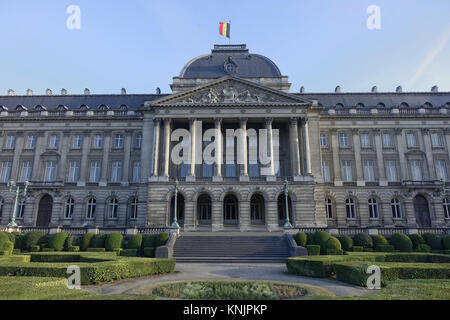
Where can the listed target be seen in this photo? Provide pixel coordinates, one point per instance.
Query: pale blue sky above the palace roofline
(141, 45)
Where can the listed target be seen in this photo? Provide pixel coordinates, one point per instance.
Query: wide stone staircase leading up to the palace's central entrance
(230, 247)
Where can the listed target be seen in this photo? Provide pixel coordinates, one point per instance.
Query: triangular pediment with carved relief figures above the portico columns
(231, 90)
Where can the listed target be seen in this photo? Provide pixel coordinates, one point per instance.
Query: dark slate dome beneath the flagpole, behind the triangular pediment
(230, 60)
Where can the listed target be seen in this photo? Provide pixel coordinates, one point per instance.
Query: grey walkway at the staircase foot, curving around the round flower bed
(228, 271)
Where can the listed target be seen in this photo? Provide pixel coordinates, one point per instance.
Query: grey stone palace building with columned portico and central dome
(373, 160)
